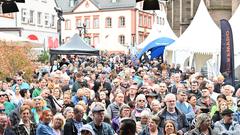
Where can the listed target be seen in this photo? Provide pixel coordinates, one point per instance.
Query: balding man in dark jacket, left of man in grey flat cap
(73, 125)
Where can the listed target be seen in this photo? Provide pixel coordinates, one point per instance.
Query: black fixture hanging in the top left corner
(9, 7)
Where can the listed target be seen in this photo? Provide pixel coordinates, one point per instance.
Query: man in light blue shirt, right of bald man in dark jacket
(184, 106)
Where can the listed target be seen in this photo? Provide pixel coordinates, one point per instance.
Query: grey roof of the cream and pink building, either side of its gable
(100, 4)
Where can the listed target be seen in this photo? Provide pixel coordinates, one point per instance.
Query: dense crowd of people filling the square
(114, 95)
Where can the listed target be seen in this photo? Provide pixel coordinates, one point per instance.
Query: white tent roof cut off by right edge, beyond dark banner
(235, 21)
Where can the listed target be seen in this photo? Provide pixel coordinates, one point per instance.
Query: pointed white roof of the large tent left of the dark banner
(202, 36)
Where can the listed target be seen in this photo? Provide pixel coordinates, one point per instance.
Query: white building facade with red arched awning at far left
(36, 20)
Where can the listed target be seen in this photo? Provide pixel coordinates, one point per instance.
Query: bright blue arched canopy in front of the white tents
(156, 47)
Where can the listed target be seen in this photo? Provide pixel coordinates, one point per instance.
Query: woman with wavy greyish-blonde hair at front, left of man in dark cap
(202, 126)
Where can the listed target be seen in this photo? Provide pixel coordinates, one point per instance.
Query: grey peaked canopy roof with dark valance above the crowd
(76, 45)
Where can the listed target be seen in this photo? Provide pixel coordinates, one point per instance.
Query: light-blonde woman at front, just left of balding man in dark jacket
(58, 123)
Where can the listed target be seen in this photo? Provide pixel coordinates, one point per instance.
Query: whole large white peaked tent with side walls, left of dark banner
(200, 42)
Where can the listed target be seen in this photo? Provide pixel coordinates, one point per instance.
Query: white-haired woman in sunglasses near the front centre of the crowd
(141, 104)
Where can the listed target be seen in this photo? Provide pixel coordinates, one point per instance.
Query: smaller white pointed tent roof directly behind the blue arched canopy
(159, 30)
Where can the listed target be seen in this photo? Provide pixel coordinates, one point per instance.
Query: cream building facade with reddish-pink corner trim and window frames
(123, 21)
